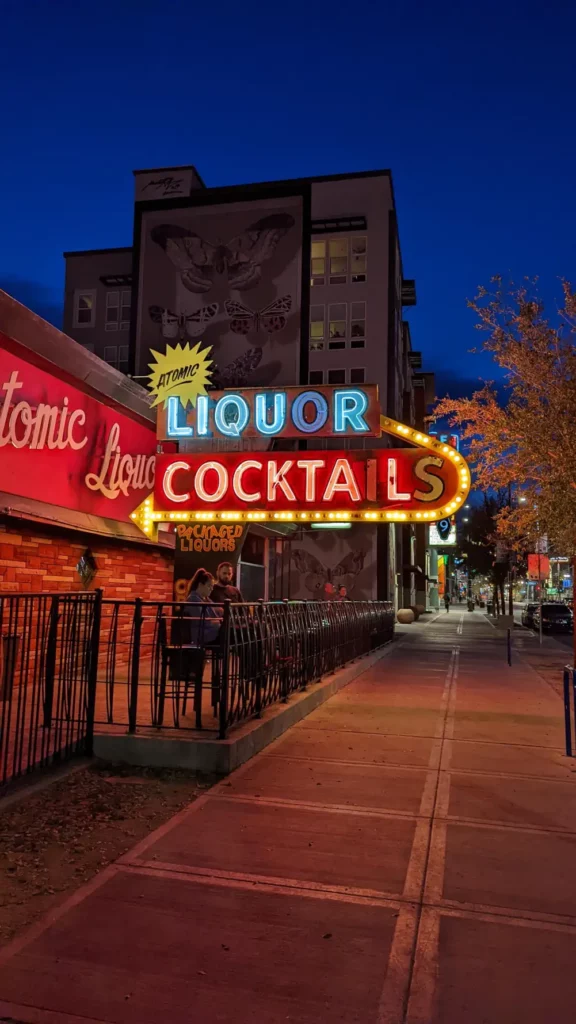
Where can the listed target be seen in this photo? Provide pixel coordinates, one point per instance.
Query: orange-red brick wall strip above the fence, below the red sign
(37, 560)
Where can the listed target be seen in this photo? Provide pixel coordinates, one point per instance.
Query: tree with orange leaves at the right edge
(526, 443)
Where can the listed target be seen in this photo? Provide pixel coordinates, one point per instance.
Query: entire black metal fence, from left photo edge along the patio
(69, 662)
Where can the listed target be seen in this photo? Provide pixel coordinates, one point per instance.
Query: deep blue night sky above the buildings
(472, 107)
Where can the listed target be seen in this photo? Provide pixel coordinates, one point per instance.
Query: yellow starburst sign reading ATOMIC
(183, 372)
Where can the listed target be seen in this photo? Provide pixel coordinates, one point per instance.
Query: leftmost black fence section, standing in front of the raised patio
(49, 660)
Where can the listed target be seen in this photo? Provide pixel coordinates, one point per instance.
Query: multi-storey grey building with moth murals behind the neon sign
(291, 283)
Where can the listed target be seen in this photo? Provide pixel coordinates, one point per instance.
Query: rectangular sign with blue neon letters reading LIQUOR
(270, 413)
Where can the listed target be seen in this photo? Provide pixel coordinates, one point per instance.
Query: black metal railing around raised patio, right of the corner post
(211, 667)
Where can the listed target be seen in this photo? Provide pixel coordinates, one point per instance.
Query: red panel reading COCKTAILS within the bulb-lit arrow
(390, 483)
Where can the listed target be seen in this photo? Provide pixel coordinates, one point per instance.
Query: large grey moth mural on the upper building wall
(231, 275)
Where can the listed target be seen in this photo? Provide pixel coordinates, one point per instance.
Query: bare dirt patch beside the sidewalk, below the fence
(54, 841)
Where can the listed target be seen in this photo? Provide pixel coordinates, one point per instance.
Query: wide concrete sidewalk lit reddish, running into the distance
(405, 855)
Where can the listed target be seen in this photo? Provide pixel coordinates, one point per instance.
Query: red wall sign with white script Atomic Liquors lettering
(60, 446)
